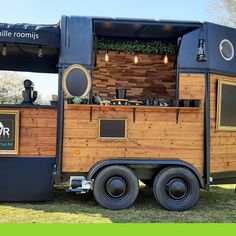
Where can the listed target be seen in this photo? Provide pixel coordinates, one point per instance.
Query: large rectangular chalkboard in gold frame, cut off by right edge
(226, 105)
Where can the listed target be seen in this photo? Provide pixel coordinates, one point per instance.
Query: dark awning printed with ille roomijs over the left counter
(22, 43)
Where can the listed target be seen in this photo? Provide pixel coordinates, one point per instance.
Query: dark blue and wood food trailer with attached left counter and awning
(138, 100)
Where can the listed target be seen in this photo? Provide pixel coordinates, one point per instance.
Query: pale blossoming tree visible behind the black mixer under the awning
(11, 87)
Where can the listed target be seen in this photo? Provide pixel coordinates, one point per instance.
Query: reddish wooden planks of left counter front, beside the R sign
(38, 128)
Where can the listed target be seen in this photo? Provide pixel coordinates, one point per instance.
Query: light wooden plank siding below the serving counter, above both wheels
(154, 134)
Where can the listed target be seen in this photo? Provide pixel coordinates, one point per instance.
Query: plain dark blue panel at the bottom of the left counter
(26, 179)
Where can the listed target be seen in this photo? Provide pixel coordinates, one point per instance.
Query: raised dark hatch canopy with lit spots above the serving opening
(143, 29)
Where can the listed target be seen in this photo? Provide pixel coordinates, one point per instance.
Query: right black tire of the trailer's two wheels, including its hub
(176, 188)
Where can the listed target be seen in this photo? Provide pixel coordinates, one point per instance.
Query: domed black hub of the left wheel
(116, 187)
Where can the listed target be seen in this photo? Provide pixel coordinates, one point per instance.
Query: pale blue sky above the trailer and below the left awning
(50, 12)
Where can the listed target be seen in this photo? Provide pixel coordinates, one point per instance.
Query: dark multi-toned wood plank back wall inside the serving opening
(149, 78)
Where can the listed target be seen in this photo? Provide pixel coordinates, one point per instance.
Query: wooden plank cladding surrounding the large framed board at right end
(223, 143)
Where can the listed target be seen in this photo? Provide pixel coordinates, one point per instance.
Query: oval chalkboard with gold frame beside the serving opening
(76, 81)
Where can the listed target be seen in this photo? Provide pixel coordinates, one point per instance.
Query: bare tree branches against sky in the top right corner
(223, 12)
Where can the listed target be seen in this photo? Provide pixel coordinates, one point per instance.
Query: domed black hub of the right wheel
(177, 189)
